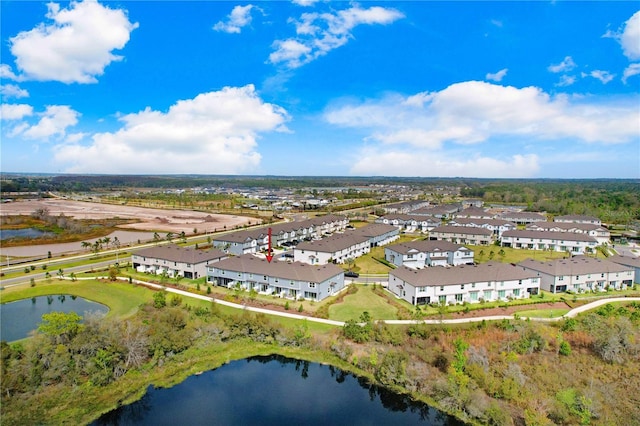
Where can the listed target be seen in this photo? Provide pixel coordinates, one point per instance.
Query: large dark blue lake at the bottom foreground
(274, 390)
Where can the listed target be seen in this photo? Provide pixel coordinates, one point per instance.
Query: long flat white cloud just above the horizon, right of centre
(375, 162)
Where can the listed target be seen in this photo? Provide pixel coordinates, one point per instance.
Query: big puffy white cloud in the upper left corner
(76, 47)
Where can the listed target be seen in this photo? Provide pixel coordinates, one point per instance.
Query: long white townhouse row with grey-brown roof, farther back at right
(569, 242)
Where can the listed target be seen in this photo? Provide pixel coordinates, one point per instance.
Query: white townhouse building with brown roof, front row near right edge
(579, 274)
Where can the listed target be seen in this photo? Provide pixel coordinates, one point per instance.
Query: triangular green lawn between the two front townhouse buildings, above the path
(365, 299)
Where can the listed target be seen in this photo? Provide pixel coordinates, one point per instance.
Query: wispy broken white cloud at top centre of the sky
(319, 33)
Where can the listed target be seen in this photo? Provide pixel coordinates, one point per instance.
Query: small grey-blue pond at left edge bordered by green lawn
(18, 319)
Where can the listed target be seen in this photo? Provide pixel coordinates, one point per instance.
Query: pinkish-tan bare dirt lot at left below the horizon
(149, 219)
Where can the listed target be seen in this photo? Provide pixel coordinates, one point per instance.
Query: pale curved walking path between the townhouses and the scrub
(571, 314)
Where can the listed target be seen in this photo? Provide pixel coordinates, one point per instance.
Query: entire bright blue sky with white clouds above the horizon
(435, 89)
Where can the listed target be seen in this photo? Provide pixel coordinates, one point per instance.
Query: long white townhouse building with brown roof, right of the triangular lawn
(458, 284)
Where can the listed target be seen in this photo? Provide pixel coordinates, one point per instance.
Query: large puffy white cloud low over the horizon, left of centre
(214, 132)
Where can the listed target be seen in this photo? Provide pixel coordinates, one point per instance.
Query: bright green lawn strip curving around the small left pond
(122, 299)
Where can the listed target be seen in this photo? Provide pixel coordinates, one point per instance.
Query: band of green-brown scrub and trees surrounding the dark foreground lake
(580, 371)
